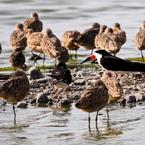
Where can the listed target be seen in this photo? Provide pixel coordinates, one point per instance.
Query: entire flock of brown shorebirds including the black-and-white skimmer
(106, 40)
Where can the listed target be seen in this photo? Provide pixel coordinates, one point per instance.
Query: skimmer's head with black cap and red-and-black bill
(96, 56)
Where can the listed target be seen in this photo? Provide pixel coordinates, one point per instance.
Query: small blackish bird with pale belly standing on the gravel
(63, 78)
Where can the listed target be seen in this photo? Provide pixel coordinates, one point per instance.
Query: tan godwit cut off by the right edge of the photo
(140, 39)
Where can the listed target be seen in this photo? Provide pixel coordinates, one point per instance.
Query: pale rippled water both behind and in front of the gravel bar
(41, 126)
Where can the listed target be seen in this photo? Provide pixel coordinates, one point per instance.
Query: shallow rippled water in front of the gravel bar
(46, 126)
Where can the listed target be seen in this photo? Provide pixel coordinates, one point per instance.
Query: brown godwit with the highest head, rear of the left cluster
(33, 23)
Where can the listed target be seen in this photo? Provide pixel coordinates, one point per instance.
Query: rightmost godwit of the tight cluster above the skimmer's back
(119, 33)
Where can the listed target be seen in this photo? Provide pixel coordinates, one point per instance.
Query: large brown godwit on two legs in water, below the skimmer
(93, 99)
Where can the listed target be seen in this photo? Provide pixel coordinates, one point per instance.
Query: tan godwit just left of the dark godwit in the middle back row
(68, 41)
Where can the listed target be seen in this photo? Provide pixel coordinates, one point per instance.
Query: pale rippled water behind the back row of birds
(62, 15)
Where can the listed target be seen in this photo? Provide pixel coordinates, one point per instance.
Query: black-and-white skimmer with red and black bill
(113, 63)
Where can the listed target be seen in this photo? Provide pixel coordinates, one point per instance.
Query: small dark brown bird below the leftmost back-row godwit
(17, 59)
